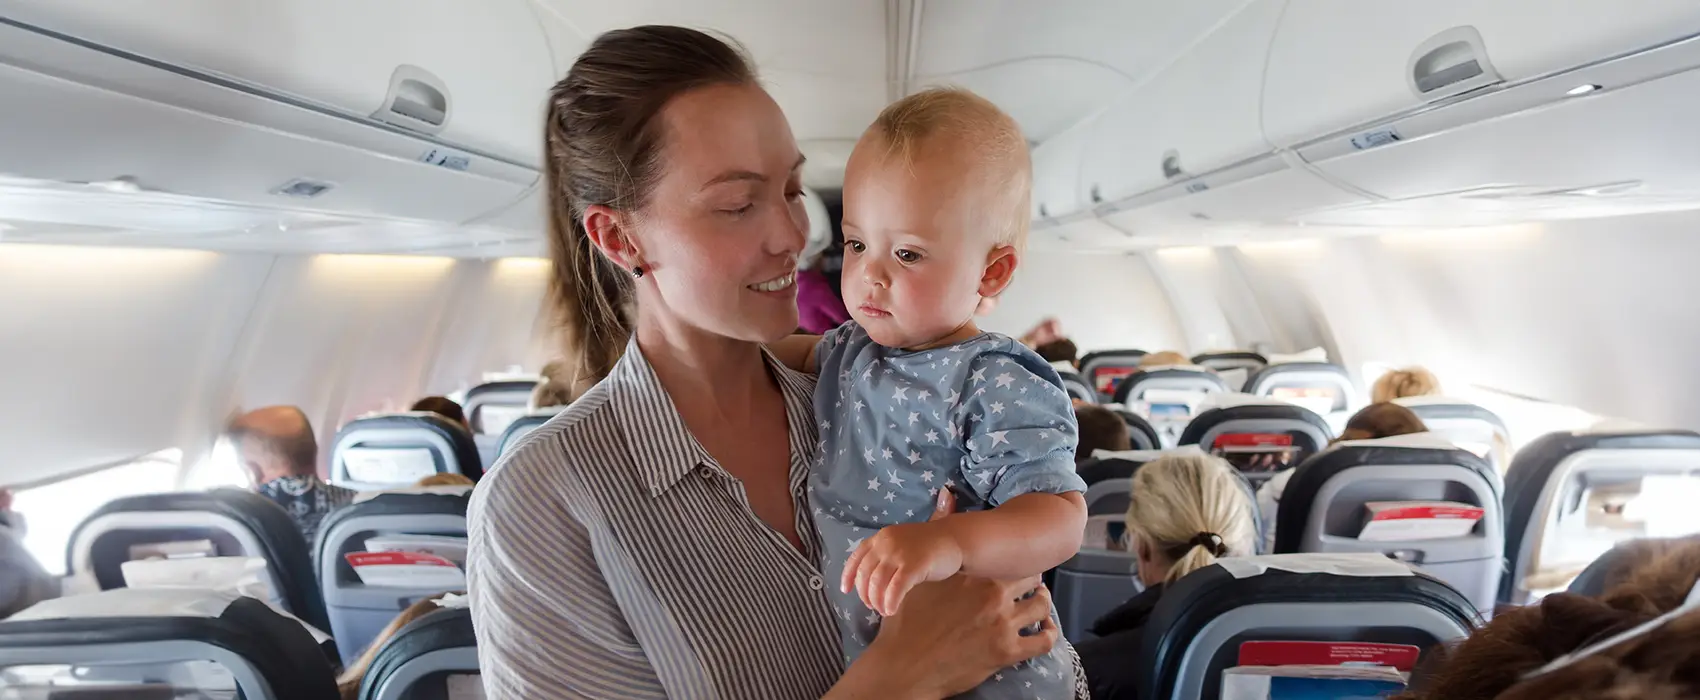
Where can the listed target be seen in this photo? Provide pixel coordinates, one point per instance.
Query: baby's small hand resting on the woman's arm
(885, 567)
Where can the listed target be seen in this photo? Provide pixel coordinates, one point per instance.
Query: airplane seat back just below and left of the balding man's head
(220, 522)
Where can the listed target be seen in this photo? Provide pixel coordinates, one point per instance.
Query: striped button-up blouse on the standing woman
(613, 558)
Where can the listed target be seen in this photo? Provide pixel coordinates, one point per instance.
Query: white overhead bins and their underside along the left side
(380, 110)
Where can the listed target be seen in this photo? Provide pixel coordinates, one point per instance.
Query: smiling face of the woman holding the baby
(723, 229)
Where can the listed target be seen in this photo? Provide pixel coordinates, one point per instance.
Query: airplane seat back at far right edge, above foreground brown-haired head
(1570, 497)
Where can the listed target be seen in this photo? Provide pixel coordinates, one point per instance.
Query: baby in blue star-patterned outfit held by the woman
(915, 398)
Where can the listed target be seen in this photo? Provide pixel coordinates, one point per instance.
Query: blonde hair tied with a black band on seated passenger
(1191, 509)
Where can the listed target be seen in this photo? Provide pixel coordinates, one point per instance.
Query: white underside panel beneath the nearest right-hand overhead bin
(1606, 140)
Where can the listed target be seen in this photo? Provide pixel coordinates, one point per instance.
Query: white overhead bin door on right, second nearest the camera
(1196, 116)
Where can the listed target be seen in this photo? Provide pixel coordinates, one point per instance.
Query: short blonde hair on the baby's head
(963, 121)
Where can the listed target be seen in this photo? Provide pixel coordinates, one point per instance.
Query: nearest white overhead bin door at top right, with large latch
(1342, 64)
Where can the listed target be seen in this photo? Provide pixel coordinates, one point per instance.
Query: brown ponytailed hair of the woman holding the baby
(603, 144)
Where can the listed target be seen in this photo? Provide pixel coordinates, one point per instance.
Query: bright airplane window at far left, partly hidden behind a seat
(54, 512)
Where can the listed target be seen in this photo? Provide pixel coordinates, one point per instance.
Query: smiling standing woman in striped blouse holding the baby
(652, 541)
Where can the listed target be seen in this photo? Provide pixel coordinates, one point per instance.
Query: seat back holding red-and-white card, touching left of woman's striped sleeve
(360, 611)
